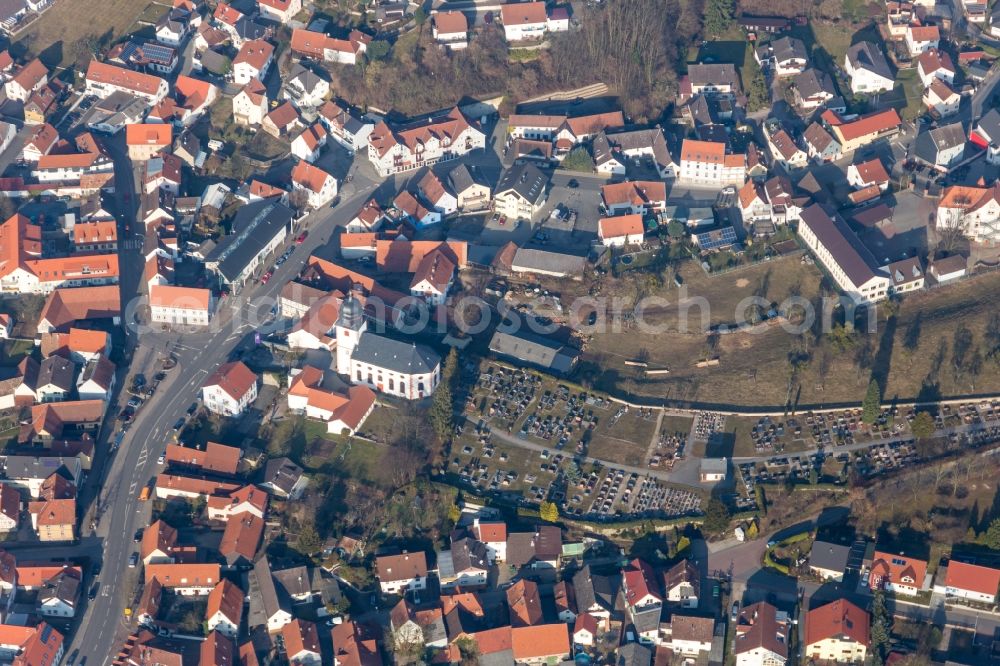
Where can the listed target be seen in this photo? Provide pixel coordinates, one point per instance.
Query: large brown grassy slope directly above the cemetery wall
(911, 356)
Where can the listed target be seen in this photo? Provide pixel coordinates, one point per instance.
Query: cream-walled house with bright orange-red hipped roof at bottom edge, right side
(837, 632)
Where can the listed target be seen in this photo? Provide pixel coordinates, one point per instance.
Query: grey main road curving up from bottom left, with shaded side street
(102, 627)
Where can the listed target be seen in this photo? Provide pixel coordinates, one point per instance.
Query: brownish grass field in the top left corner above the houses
(63, 35)
